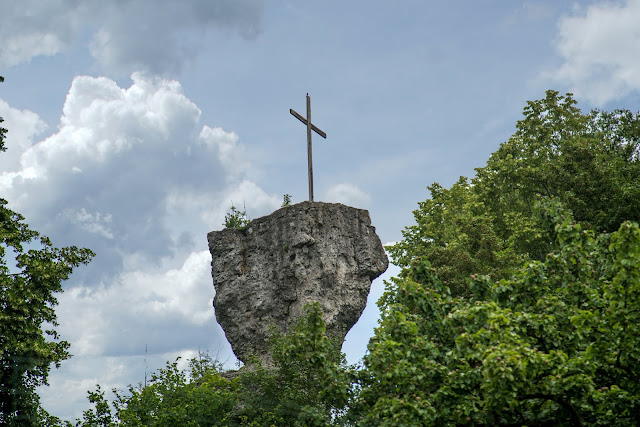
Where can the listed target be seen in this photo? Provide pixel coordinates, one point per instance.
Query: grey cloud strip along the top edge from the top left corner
(125, 35)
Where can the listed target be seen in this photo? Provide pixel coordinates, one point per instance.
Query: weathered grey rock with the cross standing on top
(310, 251)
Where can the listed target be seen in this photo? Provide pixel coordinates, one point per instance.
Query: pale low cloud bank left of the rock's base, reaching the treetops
(119, 332)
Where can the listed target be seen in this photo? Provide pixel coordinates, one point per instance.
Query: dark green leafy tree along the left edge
(29, 280)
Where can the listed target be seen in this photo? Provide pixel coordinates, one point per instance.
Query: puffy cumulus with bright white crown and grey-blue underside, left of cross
(130, 172)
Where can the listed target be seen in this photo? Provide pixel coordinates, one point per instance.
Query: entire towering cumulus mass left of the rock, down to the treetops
(132, 174)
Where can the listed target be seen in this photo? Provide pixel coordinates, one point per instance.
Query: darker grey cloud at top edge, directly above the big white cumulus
(170, 34)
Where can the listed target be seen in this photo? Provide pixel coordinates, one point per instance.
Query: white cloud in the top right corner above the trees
(600, 47)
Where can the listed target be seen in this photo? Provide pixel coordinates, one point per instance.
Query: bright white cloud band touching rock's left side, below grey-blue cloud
(164, 308)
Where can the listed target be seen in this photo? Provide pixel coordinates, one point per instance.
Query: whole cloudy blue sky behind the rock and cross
(134, 124)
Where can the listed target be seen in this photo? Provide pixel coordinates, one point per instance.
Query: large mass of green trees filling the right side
(509, 314)
